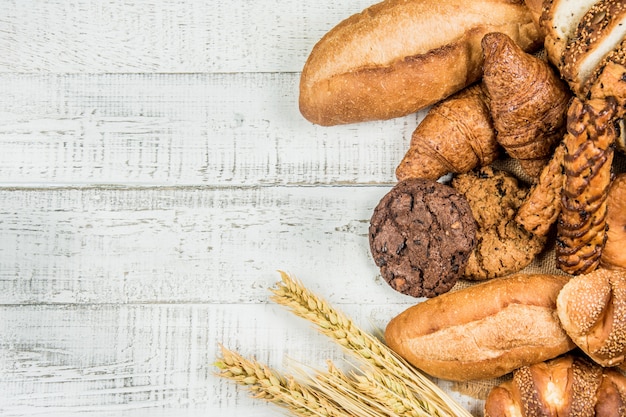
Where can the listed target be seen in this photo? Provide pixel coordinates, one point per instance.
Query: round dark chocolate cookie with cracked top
(421, 235)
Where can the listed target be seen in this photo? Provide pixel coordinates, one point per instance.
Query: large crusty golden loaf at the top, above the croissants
(399, 56)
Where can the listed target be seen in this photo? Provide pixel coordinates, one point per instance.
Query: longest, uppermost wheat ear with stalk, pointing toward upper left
(391, 371)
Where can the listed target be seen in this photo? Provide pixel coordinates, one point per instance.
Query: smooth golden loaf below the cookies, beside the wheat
(483, 331)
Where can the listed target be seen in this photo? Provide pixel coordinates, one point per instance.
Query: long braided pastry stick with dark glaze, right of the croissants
(581, 225)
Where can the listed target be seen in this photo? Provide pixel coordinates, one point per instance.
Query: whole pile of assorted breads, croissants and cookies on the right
(559, 119)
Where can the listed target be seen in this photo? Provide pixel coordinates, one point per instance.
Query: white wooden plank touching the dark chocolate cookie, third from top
(223, 245)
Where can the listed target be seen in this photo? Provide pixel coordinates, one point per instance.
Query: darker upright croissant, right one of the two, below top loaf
(528, 102)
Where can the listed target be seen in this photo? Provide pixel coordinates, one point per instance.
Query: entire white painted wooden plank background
(155, 173)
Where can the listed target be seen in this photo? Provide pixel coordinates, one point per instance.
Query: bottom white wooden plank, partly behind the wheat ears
(102, 360)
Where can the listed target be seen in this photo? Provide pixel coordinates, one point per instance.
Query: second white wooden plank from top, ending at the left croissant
(182, 129)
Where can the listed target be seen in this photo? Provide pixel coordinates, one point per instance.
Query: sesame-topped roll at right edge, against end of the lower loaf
(592, 310)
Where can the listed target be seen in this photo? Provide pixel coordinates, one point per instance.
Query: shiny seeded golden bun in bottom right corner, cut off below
(568, 386)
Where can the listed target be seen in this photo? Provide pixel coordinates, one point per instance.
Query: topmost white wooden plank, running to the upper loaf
(164, 36)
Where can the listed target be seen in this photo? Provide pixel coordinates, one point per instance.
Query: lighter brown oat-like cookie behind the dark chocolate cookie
(502, 245)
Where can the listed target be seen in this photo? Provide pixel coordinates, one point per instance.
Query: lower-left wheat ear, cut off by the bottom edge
(268, 384)
